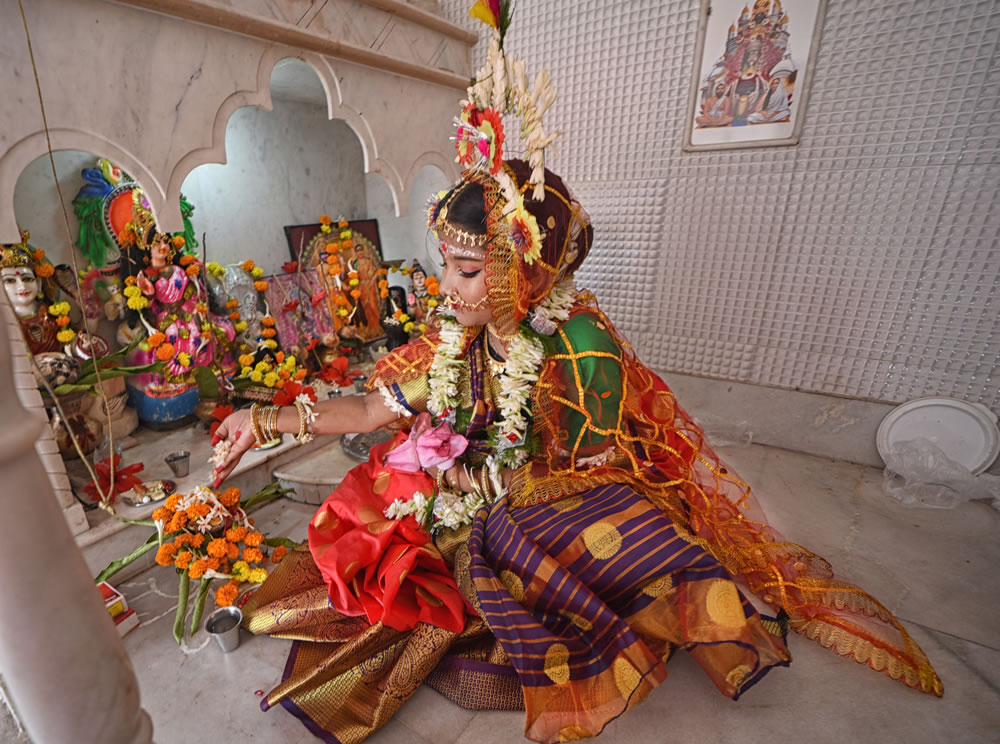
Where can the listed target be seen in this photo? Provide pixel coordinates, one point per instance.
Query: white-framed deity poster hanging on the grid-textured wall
(754, 64)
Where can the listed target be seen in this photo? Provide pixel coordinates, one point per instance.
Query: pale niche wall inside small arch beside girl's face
(404, 237)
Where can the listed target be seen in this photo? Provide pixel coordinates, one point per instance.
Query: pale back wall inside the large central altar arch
(283, 167)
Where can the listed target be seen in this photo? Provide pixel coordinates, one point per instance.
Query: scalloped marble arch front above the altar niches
(154, 92)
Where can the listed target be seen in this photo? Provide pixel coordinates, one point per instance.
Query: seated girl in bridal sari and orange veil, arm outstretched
(552, 529)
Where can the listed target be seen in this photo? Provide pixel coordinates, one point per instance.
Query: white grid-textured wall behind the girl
(862, 262)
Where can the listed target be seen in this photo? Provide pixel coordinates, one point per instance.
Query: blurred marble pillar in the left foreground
(63, 663)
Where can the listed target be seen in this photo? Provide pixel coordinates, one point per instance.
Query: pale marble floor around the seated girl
(937, 570)
